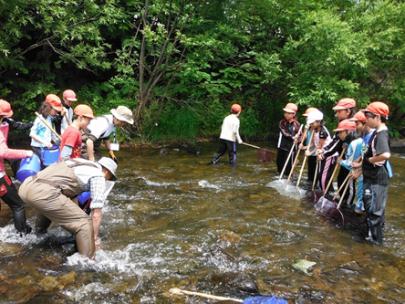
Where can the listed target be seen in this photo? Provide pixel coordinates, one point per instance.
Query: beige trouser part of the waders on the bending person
(60, 209)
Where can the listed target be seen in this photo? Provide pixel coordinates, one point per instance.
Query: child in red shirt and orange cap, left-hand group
(71, 142)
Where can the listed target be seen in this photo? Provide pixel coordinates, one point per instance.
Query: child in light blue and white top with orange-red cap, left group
(41, 136)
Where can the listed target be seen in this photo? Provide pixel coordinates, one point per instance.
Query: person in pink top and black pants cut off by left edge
(8, 192)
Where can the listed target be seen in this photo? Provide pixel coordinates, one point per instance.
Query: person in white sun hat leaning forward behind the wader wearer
(101, 129)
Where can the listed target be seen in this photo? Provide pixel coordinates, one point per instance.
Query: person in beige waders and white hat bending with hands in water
(51, 191)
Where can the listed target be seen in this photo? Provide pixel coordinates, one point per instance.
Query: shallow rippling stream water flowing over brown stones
(174, 221)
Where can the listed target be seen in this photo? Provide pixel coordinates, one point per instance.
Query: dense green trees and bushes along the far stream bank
(180, 64)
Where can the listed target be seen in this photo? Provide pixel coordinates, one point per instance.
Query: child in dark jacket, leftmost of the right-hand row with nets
(289, 128)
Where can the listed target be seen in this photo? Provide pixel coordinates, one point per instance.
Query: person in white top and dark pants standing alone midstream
(229, 136)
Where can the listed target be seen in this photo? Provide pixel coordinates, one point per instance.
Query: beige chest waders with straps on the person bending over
(50, 192)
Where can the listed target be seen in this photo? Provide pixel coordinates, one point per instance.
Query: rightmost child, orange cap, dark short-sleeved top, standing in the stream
(376, 170)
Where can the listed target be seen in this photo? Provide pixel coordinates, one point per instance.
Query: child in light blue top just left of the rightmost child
(345, 130)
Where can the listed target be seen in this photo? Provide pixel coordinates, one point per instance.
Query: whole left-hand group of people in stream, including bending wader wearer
(76, 133)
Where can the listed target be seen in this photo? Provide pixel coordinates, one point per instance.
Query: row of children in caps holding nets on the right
(359, 145)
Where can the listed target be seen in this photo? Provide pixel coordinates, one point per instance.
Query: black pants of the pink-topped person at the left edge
(9, 194)
